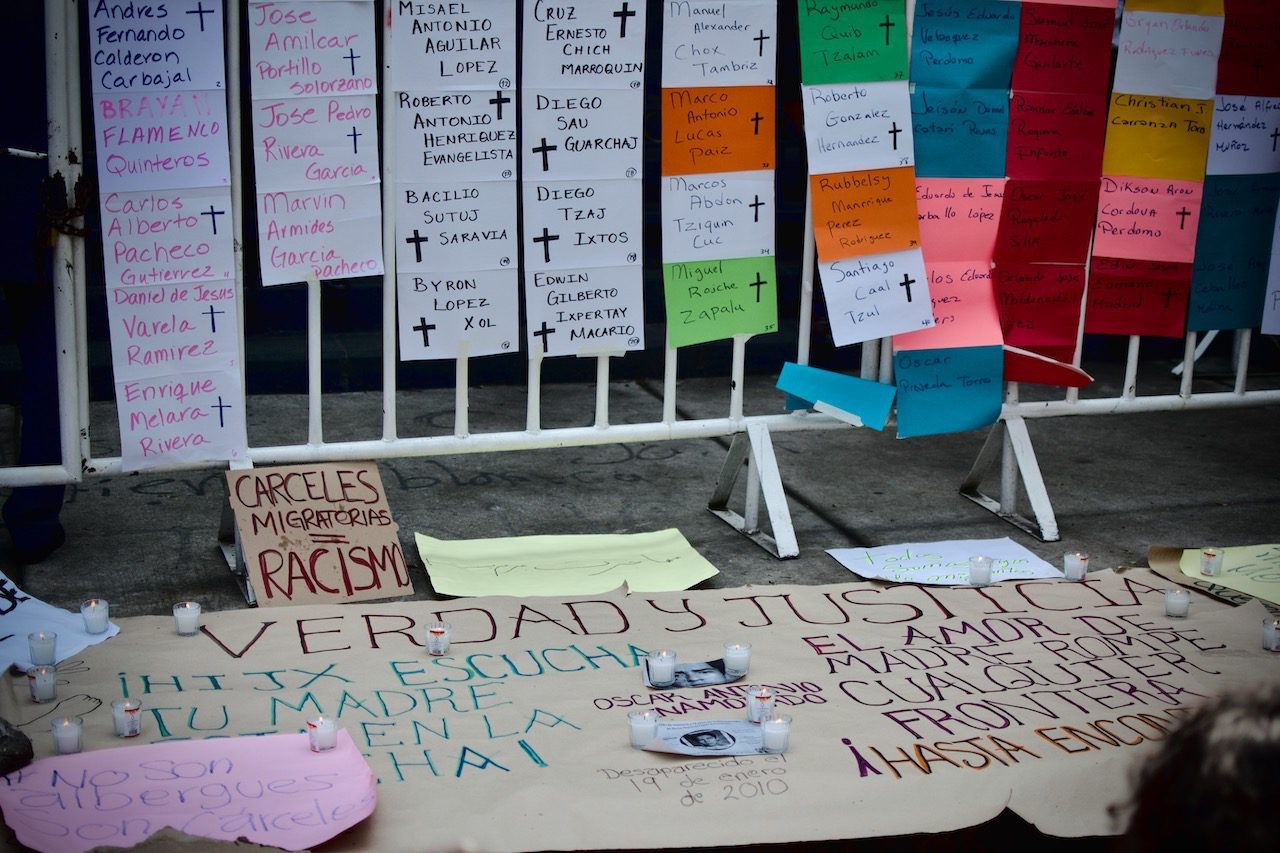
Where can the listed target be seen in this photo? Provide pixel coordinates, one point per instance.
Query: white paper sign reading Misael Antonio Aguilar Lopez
(454, 47)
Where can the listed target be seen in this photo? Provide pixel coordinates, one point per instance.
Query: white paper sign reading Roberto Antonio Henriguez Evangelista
(456, 136)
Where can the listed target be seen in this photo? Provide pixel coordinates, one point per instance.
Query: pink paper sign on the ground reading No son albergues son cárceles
(271, 790)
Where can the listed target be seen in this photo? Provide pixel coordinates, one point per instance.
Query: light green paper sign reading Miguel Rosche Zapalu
(716, 300)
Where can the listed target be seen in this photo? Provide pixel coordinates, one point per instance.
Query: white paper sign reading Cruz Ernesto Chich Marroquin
(584, 45)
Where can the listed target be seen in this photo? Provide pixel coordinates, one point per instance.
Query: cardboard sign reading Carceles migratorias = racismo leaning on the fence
(318, 533)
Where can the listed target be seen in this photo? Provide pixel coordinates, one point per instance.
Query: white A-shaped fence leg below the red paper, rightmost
(1008, 436)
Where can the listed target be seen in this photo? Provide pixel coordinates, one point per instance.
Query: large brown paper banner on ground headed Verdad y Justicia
(1039, 696)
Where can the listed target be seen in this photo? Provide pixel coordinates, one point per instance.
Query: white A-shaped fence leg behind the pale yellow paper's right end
(756, 449)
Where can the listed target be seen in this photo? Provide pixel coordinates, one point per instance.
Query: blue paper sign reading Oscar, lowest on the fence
(948, 391)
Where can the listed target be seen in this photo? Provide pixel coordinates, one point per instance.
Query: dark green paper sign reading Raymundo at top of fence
(852, 43)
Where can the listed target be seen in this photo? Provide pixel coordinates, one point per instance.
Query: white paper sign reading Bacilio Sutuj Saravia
(456, 227)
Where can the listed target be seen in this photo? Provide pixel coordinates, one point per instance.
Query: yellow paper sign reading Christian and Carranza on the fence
(1150, 136)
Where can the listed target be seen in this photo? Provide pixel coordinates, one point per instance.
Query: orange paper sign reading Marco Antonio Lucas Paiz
(717, 130)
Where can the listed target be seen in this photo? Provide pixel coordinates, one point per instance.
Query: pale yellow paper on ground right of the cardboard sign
(564, 565)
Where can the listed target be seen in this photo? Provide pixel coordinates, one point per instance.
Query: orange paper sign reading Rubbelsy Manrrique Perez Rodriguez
(865, 213)
